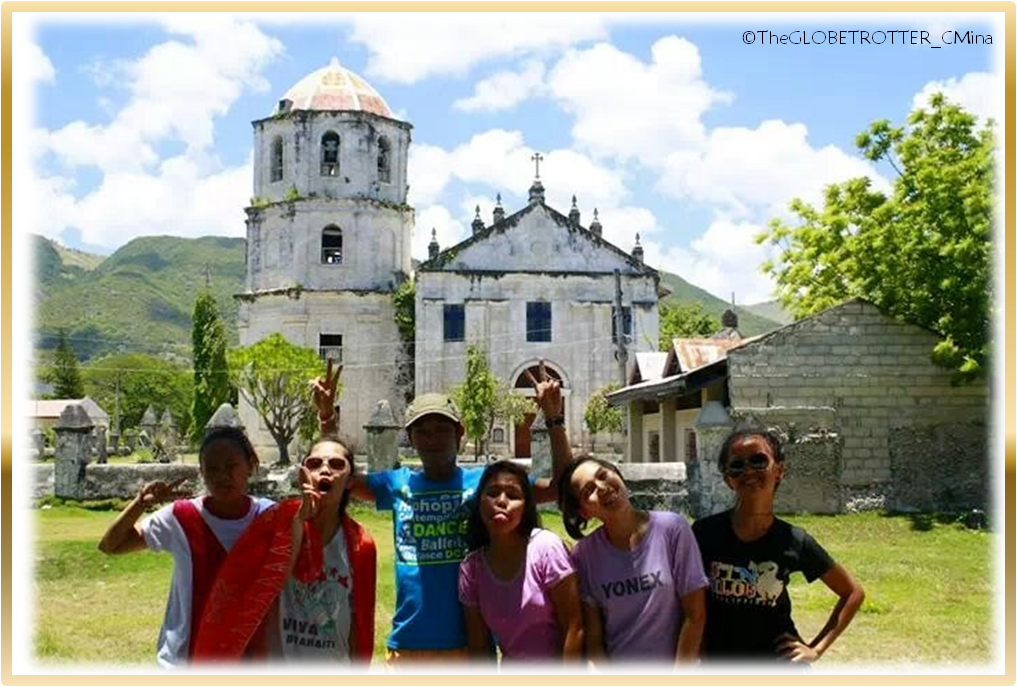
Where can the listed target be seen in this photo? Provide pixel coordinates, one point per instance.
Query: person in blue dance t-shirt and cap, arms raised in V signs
(430, 522)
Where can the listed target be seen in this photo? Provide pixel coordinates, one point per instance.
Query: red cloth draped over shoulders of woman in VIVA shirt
(254, 577)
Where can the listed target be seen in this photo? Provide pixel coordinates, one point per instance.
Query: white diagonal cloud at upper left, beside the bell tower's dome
(177, 91)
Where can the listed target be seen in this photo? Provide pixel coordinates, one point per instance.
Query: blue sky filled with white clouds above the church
(670, 124)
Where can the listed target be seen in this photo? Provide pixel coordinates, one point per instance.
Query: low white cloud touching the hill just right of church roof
(724, 260)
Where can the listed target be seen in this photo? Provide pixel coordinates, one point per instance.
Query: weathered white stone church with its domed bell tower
(329, 243)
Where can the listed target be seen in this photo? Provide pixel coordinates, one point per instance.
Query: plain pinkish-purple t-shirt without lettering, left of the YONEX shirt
(520, 612)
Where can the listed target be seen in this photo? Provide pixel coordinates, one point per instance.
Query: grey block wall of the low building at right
(873, 379)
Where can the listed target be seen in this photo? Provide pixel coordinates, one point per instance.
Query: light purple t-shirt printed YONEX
(638, 592)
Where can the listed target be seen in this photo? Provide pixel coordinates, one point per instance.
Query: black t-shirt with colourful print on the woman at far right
(748, 605)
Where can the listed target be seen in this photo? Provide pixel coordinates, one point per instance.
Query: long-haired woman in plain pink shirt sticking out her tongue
(518, 583)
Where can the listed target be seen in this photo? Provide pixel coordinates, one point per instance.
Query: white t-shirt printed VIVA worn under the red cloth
(309, 630)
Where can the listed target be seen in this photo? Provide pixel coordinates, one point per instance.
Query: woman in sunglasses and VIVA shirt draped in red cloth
(297, 592)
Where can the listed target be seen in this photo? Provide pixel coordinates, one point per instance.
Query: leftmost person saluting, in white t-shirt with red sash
(198, 532)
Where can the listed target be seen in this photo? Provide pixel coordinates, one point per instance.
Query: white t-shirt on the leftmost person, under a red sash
(162, 532)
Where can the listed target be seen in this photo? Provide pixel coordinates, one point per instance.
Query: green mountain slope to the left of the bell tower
(139, 300)
